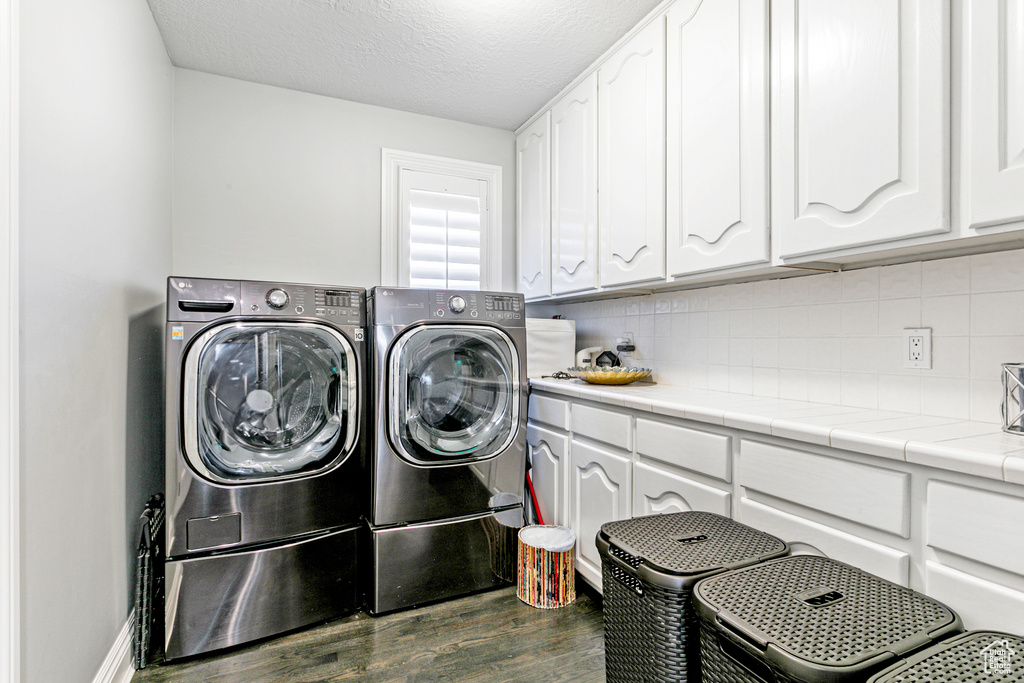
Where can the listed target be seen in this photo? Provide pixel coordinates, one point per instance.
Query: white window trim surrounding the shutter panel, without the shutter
(393, 162)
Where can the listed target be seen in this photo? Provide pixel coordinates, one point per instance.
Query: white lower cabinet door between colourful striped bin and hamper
(600, 492)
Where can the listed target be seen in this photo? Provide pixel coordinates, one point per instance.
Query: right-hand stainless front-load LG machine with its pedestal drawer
(451, 401)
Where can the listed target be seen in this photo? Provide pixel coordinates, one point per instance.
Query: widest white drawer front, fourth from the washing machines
(870, 496)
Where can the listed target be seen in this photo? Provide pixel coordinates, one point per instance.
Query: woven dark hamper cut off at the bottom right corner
(975, 657)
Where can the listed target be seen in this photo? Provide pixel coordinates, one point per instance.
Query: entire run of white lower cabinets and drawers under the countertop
(956, 537)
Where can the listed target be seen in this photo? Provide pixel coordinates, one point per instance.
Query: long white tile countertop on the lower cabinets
(982, 449)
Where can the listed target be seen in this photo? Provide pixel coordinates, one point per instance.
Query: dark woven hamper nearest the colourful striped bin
(649, 569)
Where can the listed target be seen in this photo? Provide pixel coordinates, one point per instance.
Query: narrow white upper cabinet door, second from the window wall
(574, 190)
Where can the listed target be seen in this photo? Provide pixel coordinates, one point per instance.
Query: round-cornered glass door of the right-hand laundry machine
(454, 395)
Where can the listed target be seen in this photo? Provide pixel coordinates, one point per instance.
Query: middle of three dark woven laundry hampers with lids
(812, 620)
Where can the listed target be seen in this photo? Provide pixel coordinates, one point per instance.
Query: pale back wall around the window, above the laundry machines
(277, 185)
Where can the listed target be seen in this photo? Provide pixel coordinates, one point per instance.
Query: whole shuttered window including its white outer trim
(441, 222)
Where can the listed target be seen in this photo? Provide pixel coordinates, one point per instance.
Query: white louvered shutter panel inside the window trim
(445, 242)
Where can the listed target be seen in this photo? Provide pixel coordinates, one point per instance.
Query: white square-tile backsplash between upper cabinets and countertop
(833, 337)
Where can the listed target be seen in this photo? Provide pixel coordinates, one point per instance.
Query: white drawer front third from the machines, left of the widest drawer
(693, 450)
